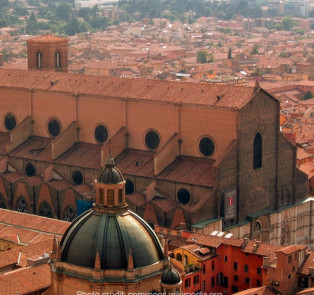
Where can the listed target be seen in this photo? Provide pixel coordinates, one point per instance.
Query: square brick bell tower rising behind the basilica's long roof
(48, 53)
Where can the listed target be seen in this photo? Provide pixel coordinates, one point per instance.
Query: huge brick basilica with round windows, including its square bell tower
(195, 156)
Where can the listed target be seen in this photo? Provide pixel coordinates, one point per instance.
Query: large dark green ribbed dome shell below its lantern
(113, 235)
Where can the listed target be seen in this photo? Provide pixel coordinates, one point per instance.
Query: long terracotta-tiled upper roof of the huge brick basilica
(170, 92)
